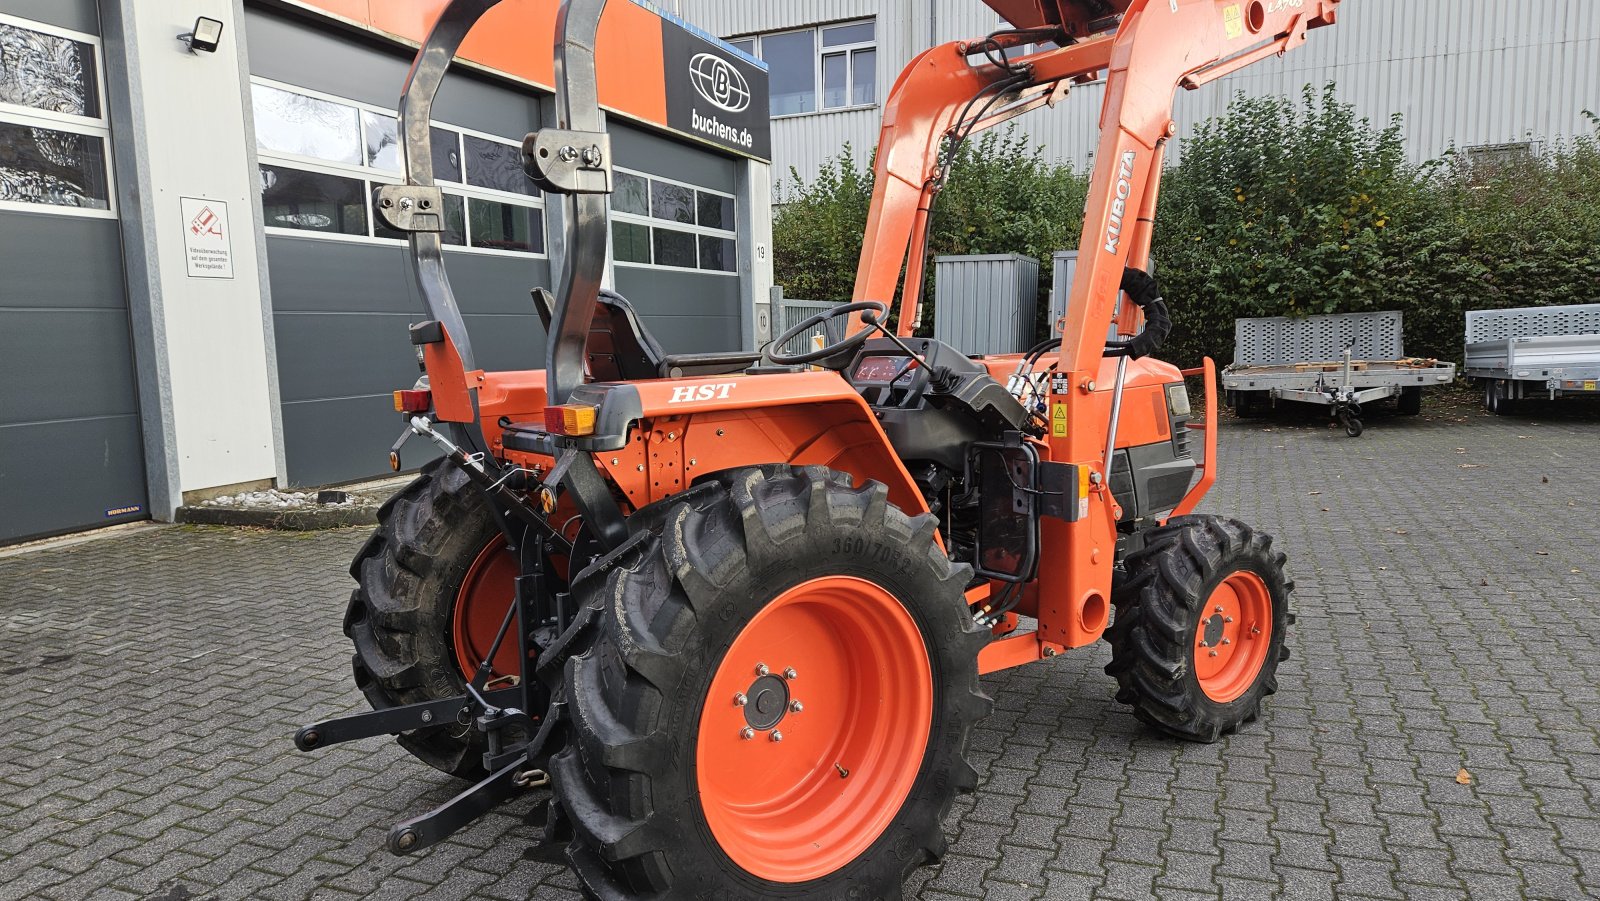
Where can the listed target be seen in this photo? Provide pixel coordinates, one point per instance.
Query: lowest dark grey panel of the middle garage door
(342, 441)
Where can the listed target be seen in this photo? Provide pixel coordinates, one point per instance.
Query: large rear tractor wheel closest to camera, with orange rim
(778, 700)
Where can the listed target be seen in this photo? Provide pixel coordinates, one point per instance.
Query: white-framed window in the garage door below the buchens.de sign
(666, 223)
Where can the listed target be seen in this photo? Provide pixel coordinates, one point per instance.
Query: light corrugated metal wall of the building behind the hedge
(1458, 71)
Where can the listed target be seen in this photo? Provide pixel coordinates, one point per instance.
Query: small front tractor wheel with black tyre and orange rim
(1201, 627)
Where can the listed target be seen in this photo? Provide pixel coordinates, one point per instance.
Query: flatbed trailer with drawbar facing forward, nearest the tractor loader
(1340, 361)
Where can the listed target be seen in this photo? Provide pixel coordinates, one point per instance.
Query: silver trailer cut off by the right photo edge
(1534, 353)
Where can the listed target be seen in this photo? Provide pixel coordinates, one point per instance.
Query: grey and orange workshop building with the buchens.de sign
(196, 297)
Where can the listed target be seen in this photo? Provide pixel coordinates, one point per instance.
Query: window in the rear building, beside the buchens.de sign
(818, 70)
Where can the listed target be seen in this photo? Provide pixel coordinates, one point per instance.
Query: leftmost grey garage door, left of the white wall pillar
(71, 450)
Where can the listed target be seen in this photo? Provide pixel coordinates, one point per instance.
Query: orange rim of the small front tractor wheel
(1233, 636)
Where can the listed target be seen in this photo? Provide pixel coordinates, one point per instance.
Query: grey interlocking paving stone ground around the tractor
(1449, 619)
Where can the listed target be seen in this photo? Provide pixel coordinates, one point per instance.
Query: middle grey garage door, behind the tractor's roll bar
(342, 286)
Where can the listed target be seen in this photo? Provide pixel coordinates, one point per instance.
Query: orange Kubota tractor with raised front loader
(734, 609)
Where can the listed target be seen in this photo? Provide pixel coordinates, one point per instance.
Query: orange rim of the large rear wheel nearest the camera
(815, 729)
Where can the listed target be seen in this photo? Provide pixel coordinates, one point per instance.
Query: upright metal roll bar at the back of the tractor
(572, 159)
